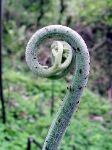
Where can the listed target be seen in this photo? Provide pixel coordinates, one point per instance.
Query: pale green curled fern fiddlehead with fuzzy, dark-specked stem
(80, 57)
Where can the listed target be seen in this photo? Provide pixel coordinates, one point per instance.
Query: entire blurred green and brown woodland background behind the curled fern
(30, 101)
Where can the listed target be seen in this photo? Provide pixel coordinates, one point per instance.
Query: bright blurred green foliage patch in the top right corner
(91, 11)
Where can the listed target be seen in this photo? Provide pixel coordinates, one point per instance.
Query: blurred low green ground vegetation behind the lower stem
(28, 111)
